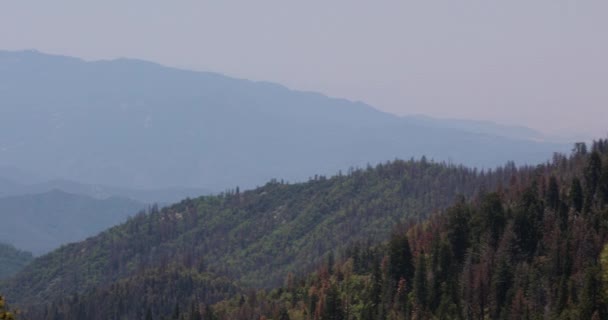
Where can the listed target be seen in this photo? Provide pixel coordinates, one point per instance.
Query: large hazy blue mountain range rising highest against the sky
(137, 124)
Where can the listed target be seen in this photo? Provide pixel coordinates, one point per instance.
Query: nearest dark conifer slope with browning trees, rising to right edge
(533, 249)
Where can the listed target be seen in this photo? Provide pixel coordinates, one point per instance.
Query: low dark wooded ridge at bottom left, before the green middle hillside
(162, 292)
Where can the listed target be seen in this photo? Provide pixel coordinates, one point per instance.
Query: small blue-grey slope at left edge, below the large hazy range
(42, 222)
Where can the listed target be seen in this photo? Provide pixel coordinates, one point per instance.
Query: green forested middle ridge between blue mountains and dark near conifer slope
(255, 237)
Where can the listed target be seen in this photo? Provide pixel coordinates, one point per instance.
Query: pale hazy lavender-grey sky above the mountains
(540, 63)
